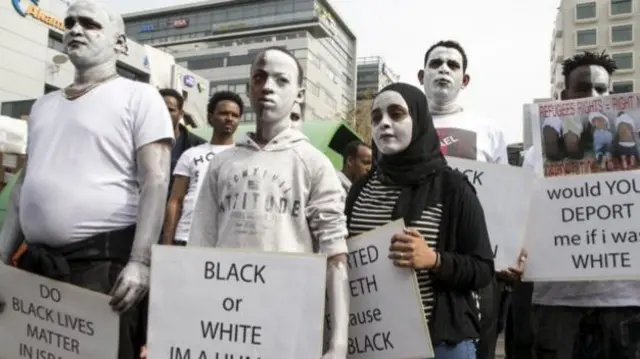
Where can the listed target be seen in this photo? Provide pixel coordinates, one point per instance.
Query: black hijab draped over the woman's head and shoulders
(418, 169)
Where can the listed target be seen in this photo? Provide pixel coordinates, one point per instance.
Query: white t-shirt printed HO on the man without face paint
(193, 164)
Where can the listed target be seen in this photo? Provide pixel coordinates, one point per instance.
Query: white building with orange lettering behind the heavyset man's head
(32, 62)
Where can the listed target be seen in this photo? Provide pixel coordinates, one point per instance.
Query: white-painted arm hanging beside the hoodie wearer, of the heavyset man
(154, 162)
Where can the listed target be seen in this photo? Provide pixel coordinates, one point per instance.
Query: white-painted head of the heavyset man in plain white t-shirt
(93, 35)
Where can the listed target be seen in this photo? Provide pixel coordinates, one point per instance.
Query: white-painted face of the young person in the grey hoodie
(274, 86)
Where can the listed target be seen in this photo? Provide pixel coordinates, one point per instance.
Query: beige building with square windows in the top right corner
(597, 25)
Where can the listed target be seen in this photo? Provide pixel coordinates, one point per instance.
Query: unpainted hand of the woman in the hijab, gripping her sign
(410, 250)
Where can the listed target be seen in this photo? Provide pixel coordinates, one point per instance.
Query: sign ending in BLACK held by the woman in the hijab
(386, 319)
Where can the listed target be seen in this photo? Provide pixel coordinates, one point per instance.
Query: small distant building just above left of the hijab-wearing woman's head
(373, 75)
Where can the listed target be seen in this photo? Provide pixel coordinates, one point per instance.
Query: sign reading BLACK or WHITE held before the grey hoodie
(225, 303)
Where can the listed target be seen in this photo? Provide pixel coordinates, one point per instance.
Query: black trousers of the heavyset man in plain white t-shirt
(93, 264)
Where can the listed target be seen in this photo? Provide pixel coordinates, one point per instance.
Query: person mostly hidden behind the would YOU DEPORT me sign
(599, 319)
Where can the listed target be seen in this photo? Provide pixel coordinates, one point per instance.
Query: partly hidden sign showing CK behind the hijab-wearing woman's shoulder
(505, 193)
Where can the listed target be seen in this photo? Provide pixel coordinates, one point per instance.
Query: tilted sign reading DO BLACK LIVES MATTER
(47, 319)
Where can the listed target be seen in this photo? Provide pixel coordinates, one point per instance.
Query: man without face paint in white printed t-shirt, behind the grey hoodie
(224, 111)
